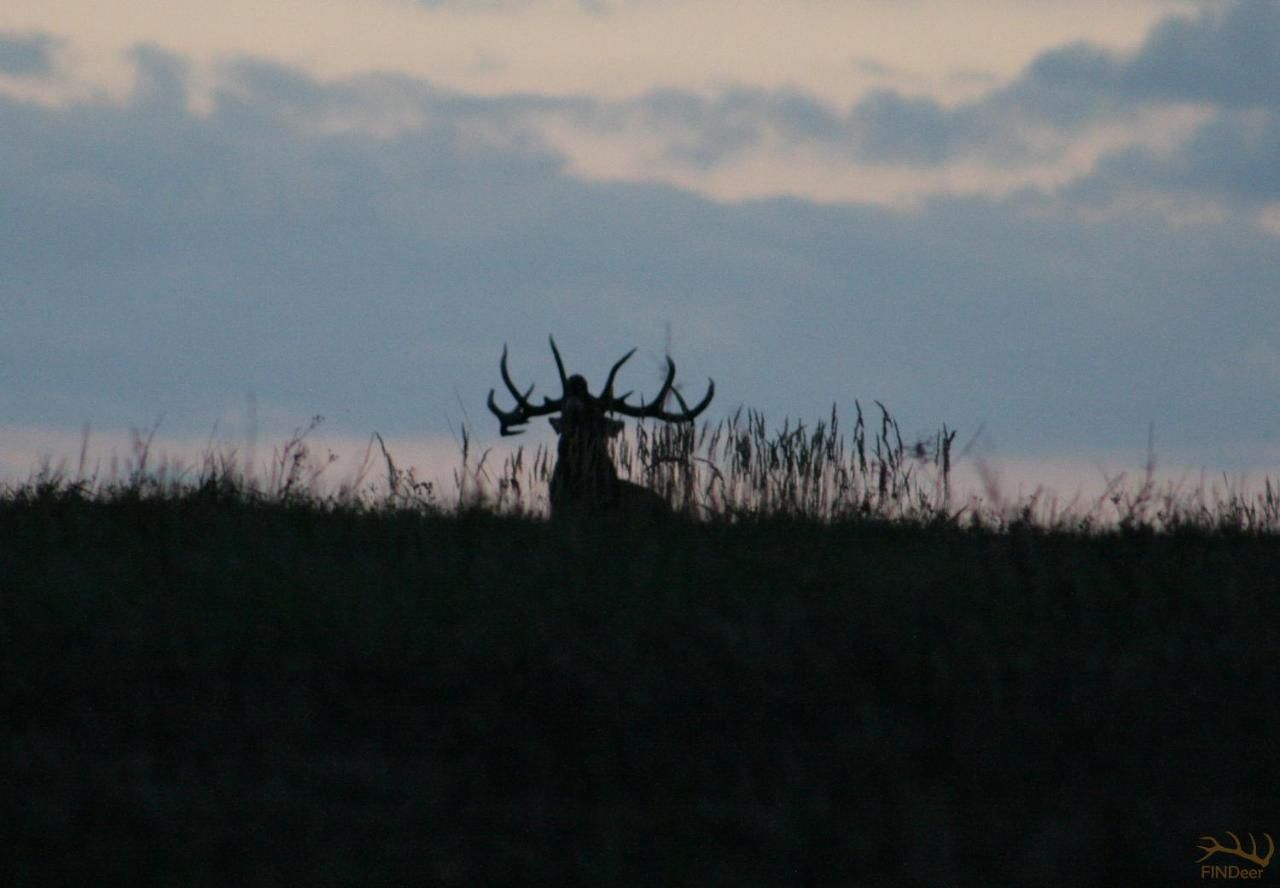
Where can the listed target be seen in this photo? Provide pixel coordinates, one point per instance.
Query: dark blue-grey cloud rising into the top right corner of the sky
(1227, 58)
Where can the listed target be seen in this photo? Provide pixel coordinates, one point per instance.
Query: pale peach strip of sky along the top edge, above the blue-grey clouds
(566, 47)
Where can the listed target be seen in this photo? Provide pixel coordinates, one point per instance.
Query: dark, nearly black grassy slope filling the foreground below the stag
(208, 692)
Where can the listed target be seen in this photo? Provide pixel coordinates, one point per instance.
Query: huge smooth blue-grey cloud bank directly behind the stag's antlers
(164, 262)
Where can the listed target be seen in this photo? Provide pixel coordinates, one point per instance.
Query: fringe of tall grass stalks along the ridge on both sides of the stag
(734, 470)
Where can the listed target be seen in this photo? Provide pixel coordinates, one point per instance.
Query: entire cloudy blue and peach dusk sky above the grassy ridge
(1053, 226)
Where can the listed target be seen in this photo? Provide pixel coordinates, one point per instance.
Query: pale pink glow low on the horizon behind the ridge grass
(1052, 486)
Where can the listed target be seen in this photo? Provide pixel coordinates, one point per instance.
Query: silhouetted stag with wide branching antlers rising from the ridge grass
(586, 479)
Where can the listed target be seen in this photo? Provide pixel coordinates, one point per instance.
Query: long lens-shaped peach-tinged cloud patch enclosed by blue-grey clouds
(744, 144)
